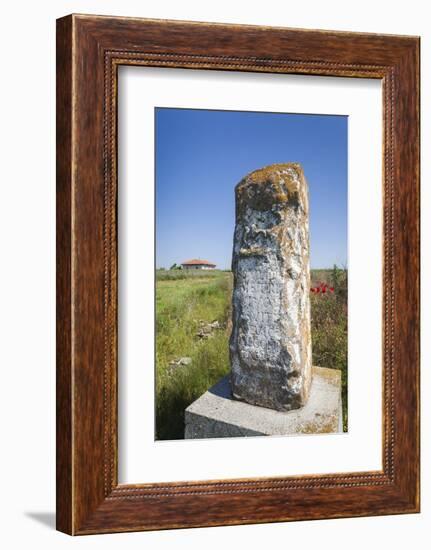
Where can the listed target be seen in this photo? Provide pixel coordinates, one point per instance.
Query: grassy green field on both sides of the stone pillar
(193, 326)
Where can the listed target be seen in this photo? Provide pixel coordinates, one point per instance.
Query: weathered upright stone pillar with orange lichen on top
(270, 345)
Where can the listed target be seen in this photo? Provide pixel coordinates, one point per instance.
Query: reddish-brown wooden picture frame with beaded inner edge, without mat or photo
(89, 51)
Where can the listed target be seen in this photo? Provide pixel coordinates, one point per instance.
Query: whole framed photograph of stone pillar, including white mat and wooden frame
(237, 274)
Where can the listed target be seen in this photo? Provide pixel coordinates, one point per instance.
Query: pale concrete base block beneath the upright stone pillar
(217, 414)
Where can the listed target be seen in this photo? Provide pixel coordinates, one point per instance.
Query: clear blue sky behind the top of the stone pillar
(201, 155)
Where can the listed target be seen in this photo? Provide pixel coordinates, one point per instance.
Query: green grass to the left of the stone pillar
(181, 305)
